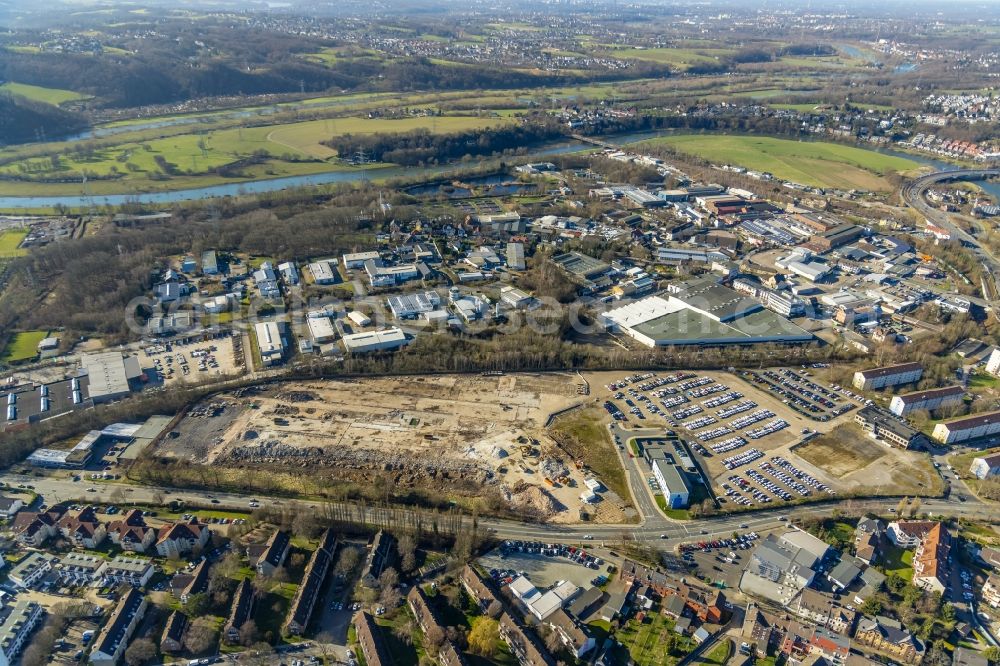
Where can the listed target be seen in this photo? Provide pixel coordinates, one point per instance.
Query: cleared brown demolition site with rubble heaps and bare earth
(467, 435)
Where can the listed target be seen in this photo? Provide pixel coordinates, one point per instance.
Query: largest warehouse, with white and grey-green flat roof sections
(702, 312)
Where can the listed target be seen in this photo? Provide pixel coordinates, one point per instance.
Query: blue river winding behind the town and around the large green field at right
(357, 175)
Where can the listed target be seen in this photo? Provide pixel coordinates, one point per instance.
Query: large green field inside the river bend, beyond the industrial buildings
(814, 163)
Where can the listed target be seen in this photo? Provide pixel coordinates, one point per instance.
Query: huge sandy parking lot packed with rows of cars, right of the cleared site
(741, 427)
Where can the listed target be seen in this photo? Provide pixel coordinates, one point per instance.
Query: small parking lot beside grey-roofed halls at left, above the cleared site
(195, 362)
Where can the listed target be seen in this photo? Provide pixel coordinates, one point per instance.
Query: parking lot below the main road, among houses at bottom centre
(544, 566)
